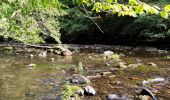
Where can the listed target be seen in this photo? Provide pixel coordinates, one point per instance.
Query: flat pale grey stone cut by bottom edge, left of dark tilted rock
(117, 97)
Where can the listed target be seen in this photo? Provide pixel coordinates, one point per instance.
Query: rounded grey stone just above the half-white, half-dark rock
(80, 79)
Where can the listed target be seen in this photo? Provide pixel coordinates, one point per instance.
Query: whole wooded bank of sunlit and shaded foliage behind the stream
(85, 21)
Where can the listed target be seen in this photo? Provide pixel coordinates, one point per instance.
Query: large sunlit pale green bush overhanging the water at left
(19, 20)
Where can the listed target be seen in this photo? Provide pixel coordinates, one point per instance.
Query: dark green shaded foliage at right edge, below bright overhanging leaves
(149, 27)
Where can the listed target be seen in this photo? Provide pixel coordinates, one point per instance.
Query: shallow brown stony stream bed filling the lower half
(45, 81)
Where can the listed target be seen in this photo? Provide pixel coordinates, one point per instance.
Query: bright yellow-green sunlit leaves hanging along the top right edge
(133, 8)
